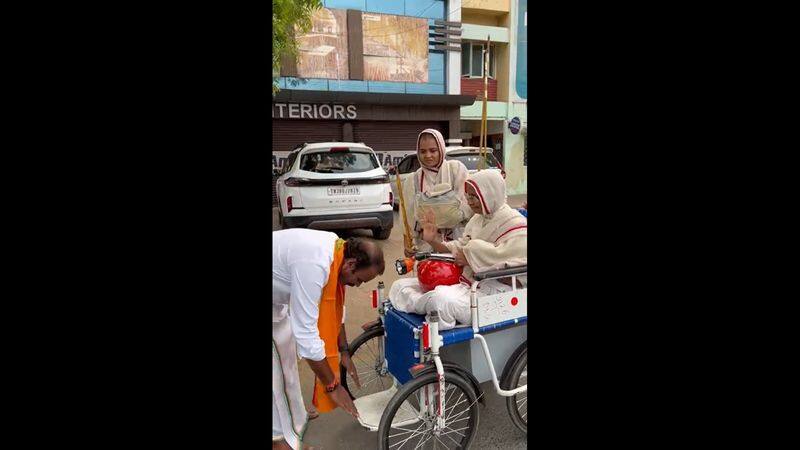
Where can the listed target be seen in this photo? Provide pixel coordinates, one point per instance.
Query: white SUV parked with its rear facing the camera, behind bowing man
(335, 185)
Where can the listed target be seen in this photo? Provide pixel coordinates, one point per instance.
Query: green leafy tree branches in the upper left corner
(288, 18)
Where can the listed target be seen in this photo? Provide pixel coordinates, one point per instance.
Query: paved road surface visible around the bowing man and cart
(338, 430)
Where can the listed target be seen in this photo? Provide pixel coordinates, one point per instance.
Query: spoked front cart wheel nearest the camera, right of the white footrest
(461, 412)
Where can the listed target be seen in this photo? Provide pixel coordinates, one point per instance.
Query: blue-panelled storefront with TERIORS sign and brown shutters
(373, 71)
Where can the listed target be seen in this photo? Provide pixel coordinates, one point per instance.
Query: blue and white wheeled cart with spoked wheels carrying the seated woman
(420, 388)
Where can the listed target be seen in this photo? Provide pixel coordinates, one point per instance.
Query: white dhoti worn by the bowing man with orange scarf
(289, 417)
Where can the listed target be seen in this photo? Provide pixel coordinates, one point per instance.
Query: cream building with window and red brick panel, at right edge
(505, 22)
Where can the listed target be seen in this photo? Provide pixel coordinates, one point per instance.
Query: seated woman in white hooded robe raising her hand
(496, 237)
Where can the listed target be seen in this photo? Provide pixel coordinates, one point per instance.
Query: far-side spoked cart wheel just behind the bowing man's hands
(364, 354)
